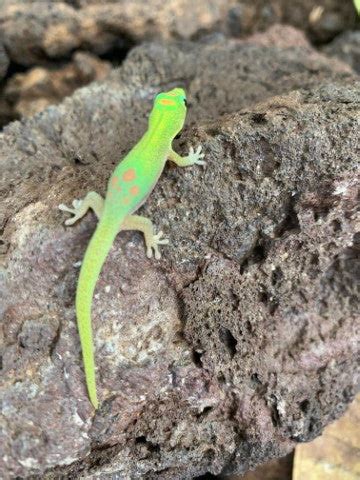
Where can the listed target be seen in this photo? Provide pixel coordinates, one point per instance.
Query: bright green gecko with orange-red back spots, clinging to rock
(129, 186)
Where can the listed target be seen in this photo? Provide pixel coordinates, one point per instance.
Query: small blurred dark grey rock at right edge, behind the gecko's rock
(347, 48)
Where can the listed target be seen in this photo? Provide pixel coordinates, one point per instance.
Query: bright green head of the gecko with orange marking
(170, 109)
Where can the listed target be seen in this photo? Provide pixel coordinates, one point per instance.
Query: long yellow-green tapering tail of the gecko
(93, 261)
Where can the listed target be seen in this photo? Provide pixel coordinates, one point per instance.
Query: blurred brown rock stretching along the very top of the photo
(41, 31)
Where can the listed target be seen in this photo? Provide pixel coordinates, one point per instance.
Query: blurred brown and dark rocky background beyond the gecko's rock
(49, 49)
